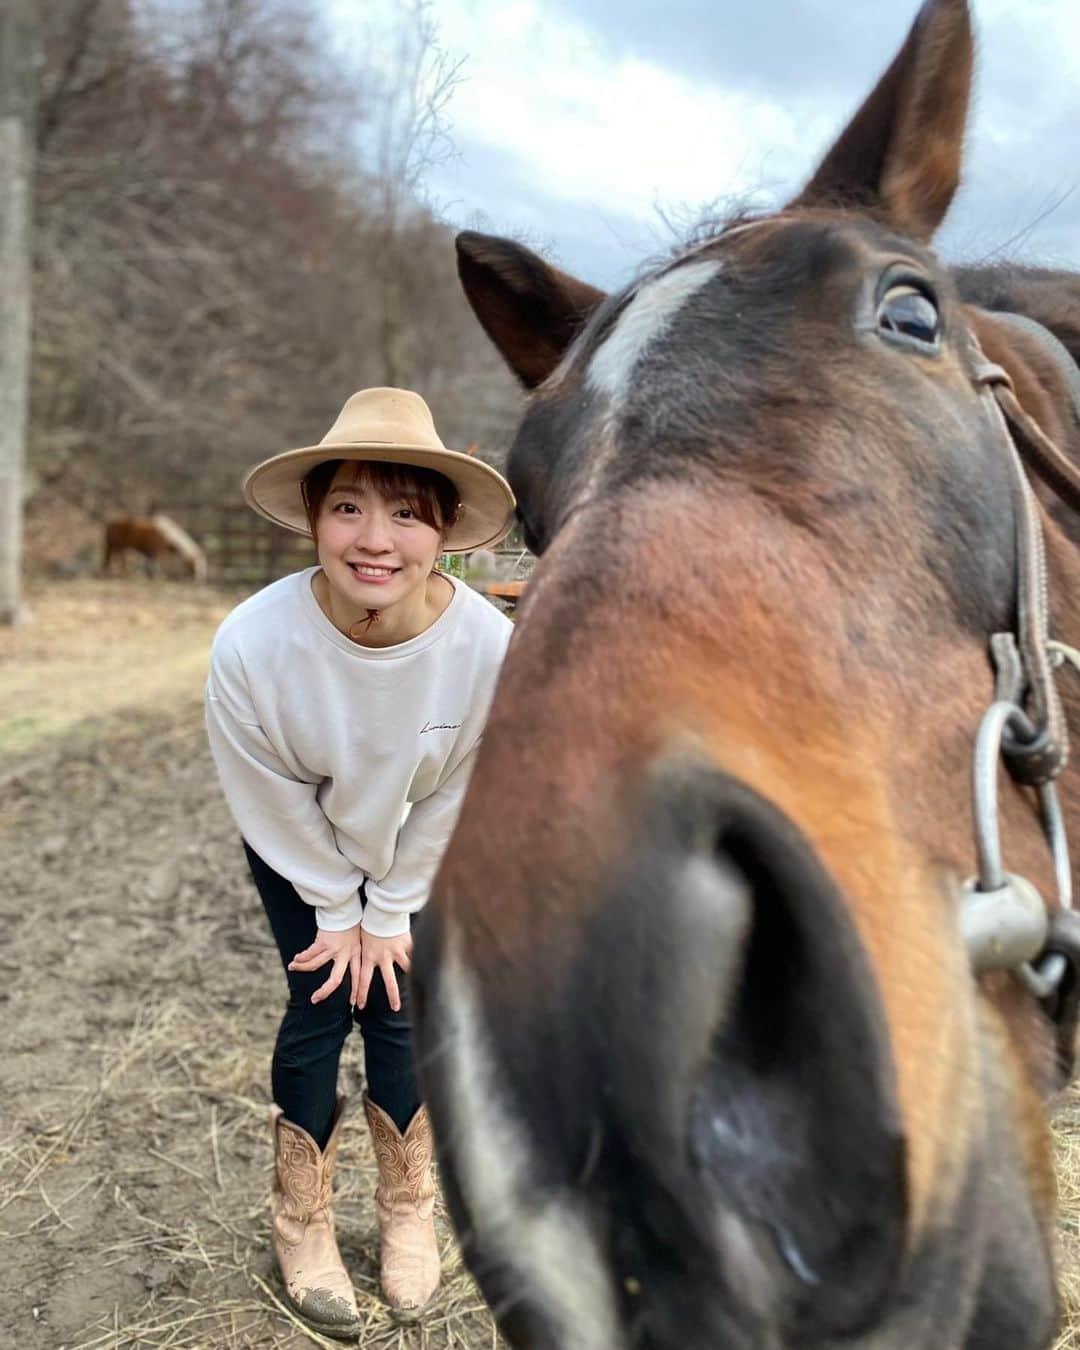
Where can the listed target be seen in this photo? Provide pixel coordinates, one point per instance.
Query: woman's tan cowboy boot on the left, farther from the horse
(302, 1228)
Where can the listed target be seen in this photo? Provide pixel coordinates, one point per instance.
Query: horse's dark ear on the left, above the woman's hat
(531, 311)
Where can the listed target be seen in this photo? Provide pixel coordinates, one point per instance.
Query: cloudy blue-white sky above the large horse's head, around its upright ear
(578, 125)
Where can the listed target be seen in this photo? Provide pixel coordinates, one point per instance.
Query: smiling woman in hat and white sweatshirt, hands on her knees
(345, 707)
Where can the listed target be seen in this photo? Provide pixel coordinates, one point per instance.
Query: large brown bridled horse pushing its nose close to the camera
(722, 1051)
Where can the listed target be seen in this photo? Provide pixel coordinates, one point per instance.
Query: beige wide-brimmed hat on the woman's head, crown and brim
(394, 427)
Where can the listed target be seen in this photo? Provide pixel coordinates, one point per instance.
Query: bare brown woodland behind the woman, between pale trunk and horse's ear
(232, 234)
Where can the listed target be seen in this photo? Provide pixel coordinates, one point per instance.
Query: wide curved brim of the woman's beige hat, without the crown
(487, 503)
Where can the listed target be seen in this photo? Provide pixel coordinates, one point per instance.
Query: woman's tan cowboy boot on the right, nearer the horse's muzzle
(406, 1208)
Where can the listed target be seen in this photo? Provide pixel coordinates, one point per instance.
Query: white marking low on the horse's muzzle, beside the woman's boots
(545, 1240)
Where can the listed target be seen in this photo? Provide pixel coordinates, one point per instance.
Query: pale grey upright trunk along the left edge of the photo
(18, 86)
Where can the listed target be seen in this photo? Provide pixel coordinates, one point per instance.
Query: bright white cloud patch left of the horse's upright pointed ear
(622, 133)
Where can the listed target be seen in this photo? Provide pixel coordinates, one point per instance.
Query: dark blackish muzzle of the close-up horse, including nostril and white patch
(715, 1109)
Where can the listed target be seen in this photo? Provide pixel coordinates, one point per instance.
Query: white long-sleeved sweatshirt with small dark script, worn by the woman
(325, 747)
